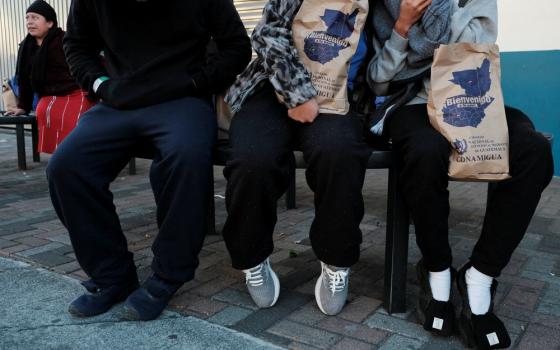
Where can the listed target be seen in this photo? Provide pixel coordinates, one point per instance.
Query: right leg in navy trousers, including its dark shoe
(182, 133)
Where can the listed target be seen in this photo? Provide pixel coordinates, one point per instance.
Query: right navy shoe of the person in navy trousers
(149, 301)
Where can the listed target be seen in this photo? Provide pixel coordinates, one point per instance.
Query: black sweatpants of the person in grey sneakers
(262, 138)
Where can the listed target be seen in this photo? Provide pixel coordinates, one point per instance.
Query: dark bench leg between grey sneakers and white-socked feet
(396, 248)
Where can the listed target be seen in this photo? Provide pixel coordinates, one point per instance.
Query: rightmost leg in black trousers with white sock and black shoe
(511, 205)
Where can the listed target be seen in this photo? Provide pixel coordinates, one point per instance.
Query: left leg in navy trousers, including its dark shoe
(79, 174)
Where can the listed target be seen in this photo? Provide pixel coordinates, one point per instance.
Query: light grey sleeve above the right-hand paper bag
(476, 22)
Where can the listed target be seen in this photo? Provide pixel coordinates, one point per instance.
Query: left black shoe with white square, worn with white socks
(437, 317)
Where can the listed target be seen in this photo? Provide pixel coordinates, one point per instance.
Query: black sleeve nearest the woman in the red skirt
(83, 45)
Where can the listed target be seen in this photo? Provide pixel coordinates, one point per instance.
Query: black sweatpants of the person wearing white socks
(510, 207)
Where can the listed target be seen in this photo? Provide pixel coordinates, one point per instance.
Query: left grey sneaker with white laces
(263, 284)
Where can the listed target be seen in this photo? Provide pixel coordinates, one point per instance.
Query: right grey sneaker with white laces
(331, 289)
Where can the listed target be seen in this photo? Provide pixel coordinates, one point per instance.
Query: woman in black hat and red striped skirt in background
(42, 70)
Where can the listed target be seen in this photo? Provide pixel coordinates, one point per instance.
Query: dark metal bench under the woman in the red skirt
(18, 123)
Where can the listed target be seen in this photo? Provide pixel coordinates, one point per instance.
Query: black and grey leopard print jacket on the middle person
(277, 59)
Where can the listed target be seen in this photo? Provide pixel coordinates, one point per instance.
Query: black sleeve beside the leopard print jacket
(233, 46)
